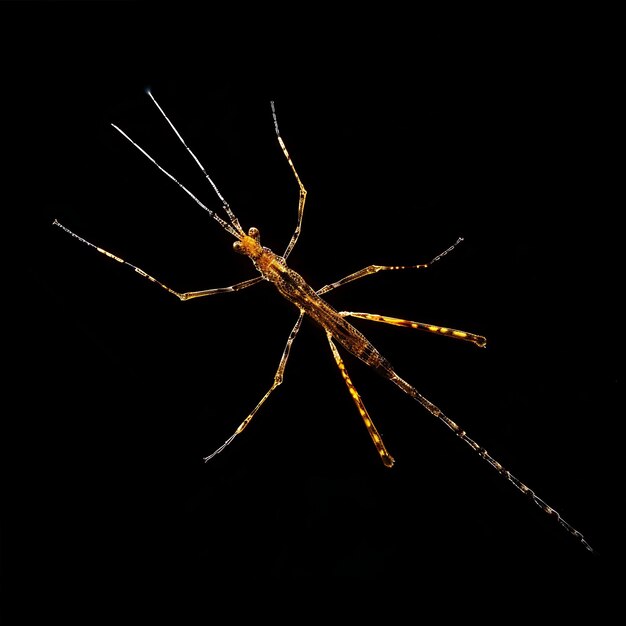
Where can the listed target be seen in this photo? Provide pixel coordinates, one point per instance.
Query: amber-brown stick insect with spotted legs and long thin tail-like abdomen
(309, 303)
